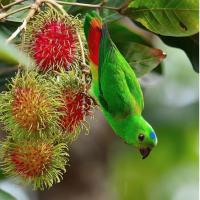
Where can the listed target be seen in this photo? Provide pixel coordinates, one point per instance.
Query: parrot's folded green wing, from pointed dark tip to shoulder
(119, 91)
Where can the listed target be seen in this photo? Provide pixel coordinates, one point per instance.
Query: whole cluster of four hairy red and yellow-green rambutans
(44, 109)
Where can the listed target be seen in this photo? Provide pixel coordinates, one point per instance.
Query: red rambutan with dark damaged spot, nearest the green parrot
(76, 104)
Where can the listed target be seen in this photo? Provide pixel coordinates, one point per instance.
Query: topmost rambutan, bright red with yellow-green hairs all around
(52, 40)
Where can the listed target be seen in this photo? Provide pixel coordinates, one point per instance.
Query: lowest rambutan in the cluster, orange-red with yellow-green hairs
(37, 162)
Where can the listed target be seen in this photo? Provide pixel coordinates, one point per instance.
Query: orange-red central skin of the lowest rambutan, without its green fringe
(31, 160)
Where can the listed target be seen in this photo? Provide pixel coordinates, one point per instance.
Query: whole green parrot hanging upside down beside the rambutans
(116, 88)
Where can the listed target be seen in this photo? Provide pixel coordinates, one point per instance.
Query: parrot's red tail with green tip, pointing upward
(93, 32)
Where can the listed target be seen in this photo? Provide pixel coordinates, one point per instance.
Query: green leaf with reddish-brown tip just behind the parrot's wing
(141, 58)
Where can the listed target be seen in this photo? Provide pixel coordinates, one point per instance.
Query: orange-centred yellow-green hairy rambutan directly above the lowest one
(30, 105)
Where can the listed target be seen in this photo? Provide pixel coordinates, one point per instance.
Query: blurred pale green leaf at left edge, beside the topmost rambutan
(12, 55)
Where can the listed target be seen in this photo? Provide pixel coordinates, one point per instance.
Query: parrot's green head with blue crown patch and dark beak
(145, 137)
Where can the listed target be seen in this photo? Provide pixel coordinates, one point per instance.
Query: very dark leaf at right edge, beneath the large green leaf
(189, 44)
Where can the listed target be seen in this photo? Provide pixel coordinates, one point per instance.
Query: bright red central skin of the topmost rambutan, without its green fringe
(55, 46)
